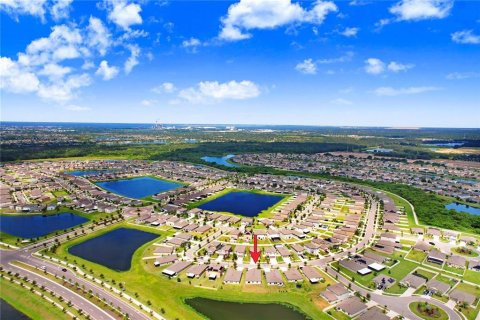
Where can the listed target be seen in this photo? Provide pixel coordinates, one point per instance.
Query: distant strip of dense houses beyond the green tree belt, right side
(446, 177)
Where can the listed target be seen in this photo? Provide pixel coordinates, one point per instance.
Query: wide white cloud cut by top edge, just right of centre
(247, 15)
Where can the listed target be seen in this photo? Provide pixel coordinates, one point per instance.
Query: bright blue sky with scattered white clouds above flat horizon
(405, 63)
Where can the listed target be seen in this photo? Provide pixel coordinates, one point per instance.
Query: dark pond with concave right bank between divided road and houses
(113, 249)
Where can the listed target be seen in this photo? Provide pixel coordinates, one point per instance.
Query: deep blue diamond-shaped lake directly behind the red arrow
(247, 204)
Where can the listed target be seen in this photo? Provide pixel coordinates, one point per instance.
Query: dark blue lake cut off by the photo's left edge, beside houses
(37, 225)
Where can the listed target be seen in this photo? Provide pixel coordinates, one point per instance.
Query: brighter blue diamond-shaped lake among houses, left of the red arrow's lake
(138, 188)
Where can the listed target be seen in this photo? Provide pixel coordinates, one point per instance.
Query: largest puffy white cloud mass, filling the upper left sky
(57, 65)
